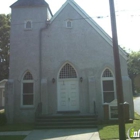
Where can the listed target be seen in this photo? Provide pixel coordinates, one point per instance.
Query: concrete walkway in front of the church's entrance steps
(64, 134)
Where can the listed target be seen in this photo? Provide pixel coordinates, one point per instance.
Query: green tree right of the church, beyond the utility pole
(133, 66)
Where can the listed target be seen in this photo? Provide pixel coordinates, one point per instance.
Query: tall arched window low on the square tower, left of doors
(27, 90)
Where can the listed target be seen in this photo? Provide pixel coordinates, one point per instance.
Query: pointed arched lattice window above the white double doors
(67, 72)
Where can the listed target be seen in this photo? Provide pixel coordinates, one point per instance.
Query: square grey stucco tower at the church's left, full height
(28, 17)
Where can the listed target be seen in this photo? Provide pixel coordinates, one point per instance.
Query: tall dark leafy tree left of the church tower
(4, 45)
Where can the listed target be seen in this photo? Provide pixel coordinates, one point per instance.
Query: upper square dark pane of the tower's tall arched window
(27, 88)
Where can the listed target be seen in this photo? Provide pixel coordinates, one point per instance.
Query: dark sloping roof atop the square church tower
(24, 3)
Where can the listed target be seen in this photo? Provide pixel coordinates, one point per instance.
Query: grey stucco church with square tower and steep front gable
(65, 62)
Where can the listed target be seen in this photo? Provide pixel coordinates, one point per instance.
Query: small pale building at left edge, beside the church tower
(2, 93)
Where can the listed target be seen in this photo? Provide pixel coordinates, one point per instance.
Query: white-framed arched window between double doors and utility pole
(108, 88)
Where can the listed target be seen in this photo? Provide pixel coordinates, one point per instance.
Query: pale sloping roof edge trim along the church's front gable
(91, 22)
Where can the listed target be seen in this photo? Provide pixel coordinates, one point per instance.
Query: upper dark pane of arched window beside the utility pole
(108, 85)
